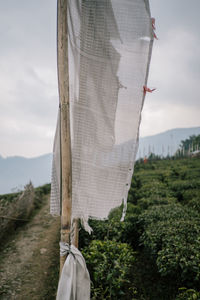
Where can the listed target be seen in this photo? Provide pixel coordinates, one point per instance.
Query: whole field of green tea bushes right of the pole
(155, 253)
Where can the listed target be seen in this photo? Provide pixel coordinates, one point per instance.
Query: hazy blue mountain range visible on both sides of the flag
(16, 171)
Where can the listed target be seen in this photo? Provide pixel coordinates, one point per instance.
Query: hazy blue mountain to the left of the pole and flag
(17, 171)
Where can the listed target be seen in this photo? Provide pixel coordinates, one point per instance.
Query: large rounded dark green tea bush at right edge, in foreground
(172, 237)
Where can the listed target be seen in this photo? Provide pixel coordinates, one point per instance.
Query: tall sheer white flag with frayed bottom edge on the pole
(110, 43)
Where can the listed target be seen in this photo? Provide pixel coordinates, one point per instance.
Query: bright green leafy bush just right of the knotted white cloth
(110, 265)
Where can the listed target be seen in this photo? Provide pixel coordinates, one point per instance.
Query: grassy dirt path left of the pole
(29, 262)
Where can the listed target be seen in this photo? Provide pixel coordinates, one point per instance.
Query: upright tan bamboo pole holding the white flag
(63, 83)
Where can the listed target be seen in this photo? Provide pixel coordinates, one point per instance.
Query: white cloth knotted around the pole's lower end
(74, 283)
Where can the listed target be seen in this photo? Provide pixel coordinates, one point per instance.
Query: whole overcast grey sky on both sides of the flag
(28, 73)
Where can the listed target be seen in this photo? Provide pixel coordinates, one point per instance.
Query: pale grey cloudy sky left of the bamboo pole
(28, 82)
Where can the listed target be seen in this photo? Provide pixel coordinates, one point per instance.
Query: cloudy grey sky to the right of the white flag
(175, 68)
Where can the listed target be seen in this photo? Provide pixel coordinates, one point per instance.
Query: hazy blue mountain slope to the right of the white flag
(165, 143)
